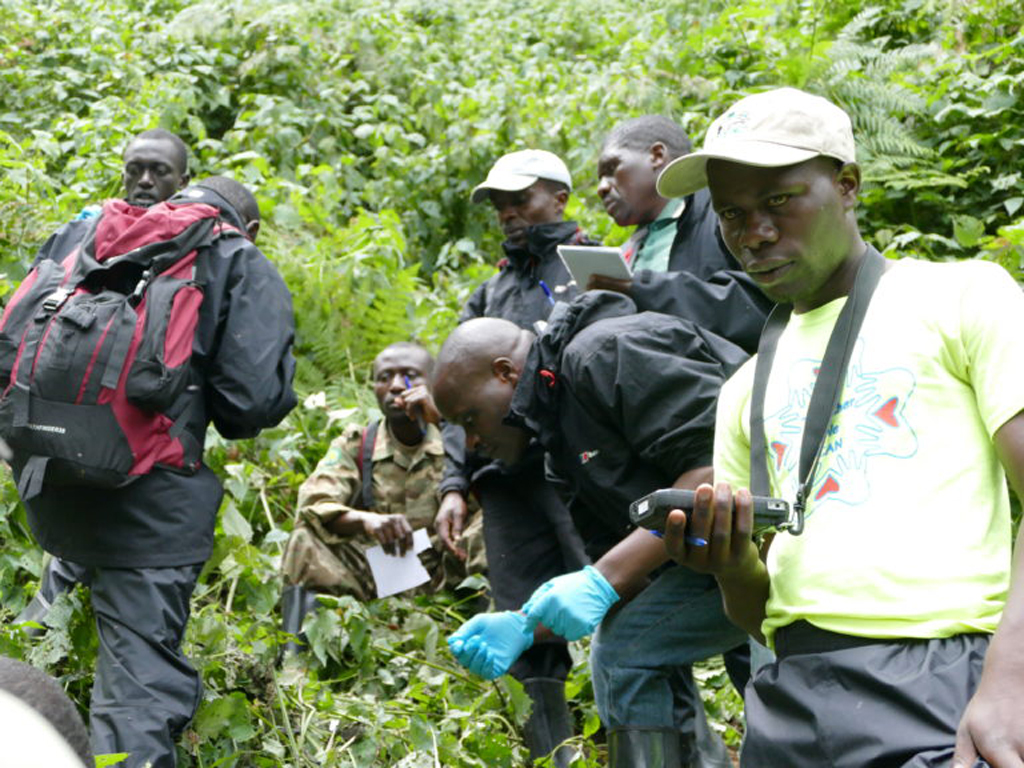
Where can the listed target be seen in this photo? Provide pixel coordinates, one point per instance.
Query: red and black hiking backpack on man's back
(96, 349)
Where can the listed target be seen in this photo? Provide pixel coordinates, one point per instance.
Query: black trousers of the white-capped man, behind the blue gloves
(530, 538)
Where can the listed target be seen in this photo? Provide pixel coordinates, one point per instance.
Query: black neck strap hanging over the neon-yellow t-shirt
(828, 388)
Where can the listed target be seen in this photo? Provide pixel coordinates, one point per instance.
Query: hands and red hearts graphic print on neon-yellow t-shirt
(870, 421)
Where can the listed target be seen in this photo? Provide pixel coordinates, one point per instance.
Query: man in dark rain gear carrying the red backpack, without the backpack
(142, 546)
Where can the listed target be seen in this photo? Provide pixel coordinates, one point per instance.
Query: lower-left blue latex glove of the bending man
(489, 644)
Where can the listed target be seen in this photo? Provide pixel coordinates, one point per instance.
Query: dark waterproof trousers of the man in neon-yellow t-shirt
(849, 703)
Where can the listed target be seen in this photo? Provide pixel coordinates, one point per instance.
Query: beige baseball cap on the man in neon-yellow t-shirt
(777, 129)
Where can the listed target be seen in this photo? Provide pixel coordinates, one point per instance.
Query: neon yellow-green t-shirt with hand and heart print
(908, 531)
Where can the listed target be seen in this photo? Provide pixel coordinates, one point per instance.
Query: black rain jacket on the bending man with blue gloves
(624, 403)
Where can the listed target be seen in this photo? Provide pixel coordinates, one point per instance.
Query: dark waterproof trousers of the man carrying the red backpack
(145, 692)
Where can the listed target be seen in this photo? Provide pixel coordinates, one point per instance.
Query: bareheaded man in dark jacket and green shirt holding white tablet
(680, 265)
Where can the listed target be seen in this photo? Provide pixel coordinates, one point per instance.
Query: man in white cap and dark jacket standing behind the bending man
(529, 533)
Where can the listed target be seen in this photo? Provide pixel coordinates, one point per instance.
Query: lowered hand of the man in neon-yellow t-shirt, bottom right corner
(991, 727)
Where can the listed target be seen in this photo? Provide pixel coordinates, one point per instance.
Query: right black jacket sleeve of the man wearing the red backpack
(249, 380)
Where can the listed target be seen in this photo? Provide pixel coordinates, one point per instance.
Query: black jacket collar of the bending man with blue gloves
(536, 396)
